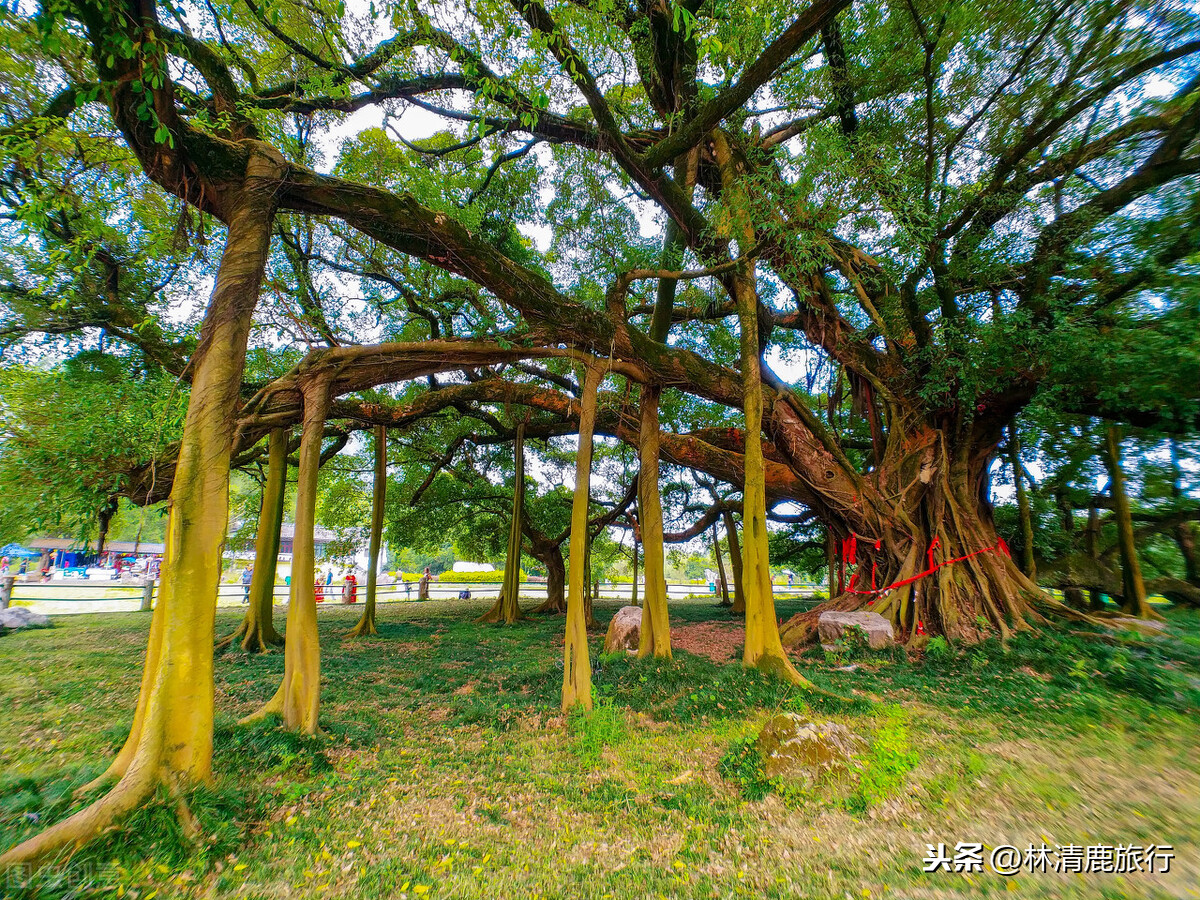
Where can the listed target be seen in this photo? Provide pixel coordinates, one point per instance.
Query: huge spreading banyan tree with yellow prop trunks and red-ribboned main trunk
(823, 253)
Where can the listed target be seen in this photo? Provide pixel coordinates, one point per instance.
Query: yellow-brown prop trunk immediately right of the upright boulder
(656, 633)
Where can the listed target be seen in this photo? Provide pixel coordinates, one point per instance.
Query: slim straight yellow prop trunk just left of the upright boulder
(577, 664)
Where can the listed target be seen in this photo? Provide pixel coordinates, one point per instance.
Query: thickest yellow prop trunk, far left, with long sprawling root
(171, 741)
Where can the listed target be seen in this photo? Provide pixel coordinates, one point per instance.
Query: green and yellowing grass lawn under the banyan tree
(446, 770)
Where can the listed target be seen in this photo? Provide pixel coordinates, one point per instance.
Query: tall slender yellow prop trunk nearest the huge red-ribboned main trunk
(764, 649)
